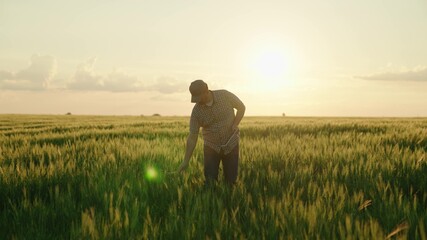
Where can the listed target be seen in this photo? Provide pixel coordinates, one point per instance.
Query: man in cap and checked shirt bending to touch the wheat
(214, 112)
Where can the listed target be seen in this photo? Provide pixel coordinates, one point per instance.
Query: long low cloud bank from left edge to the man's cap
(41, 75)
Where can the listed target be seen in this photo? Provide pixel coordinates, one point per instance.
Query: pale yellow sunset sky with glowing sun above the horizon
(363, 58)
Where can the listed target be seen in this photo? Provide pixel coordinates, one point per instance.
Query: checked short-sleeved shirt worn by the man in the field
(217, 121)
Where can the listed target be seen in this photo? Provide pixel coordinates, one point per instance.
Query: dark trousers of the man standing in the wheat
(229, 164)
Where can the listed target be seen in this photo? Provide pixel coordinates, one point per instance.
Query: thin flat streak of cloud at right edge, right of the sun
(417, 74)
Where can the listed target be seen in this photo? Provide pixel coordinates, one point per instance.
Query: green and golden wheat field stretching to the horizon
(85, 177)
